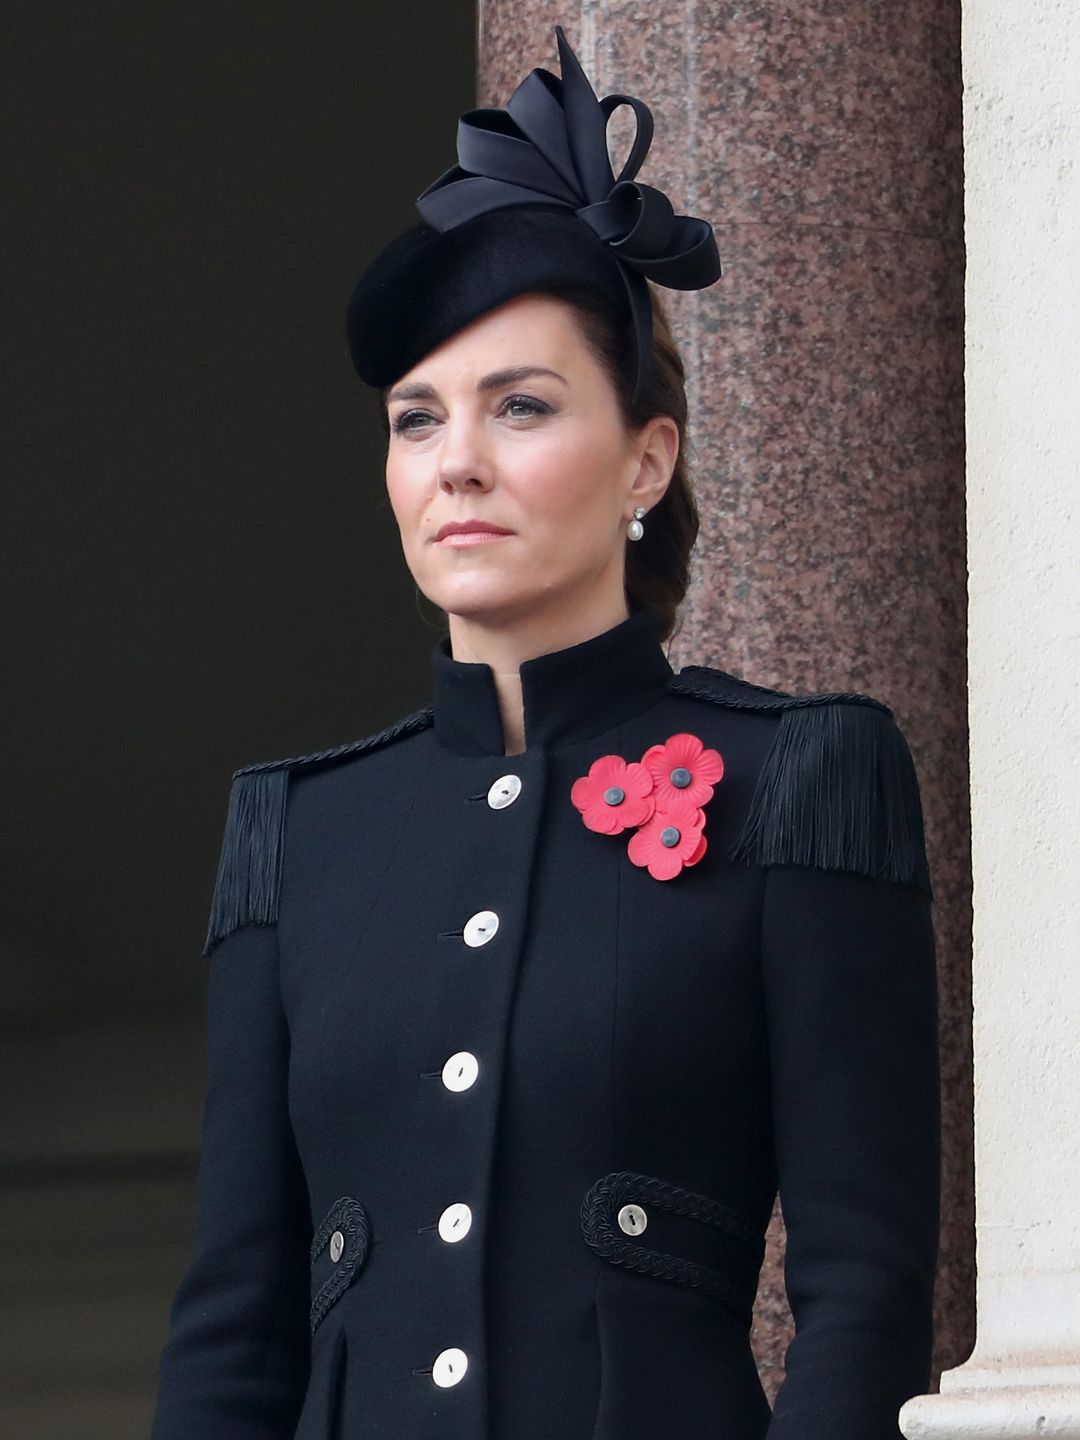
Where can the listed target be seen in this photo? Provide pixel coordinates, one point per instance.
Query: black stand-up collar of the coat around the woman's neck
(570, 695)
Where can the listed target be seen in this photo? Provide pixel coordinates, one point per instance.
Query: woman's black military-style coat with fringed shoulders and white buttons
(610, 1082)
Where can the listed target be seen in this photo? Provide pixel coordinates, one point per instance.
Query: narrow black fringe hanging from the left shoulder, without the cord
(250, 866)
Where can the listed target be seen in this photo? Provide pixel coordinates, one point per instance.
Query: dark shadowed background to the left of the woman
(199, 570)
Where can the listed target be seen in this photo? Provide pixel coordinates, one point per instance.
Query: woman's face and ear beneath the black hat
(513, 424)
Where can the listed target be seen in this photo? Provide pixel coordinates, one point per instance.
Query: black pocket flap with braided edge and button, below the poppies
(676, 1235)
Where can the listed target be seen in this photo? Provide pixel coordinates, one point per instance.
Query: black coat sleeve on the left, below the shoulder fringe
(235, 1362)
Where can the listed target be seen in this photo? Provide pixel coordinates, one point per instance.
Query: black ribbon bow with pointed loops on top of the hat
(551, 148)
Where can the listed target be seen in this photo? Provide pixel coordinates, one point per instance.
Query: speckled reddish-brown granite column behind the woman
(823, 142)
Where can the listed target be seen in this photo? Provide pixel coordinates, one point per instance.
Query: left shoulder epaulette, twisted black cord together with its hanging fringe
(248, 883)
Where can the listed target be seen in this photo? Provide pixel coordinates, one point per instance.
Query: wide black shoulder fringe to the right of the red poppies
(839, 791)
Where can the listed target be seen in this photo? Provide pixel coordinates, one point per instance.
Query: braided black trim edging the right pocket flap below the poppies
(610, 1193)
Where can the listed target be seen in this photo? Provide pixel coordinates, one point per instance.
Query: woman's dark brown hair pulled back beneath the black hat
(659, 565)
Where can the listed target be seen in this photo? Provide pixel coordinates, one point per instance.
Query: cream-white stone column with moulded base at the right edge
(1023, 168)
